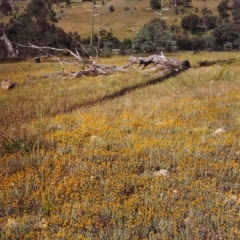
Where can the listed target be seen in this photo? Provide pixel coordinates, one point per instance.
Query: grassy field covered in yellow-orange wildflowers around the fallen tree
(159, 161)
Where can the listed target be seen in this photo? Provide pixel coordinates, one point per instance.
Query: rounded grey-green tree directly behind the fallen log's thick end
(154, 37)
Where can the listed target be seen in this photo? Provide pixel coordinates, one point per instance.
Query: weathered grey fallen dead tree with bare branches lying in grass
(93, 69)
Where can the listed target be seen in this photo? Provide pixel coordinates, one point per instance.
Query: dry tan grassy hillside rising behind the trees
(123, 24)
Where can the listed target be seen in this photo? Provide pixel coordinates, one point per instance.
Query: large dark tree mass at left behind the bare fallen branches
(36, 26)
